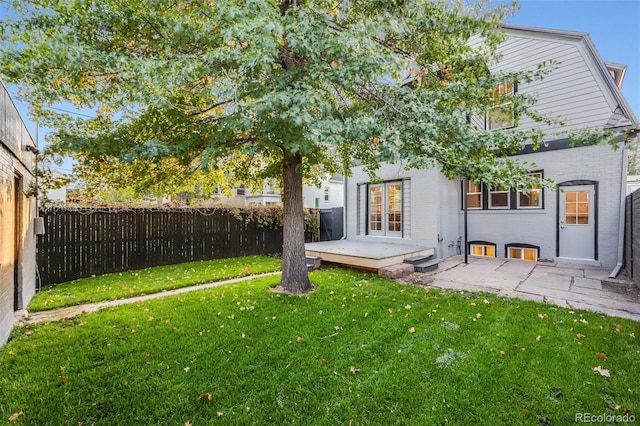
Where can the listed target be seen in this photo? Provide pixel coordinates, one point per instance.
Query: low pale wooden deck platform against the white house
(365, 254)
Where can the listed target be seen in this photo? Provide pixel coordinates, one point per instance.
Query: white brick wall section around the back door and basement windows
(538, 227)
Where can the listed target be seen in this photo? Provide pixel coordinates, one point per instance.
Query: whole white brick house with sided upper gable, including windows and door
(580, 223)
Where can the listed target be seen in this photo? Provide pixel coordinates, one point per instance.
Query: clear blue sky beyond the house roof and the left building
(614, 27)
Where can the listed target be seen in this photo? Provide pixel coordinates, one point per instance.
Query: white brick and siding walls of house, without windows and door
(580, 92)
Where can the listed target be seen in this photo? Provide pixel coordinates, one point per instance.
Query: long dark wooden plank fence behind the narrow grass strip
(80, 243)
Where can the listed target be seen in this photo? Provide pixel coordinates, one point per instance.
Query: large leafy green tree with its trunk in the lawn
(297, 83)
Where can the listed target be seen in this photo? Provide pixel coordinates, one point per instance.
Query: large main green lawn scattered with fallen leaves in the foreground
(360, 350)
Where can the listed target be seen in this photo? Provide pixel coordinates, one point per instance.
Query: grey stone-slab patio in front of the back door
(566, 285)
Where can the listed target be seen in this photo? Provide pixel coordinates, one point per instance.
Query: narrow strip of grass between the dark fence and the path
(150, 280)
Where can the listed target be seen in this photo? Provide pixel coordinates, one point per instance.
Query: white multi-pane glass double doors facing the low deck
(385, 209)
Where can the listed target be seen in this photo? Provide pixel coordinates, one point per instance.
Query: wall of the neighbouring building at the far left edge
(15, 161)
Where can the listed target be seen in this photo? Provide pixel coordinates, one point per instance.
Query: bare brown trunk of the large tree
(295, 278)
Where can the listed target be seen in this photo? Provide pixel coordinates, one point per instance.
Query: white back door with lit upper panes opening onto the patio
(577, 222)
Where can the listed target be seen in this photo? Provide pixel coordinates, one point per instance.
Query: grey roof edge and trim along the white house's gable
(611, 73)
